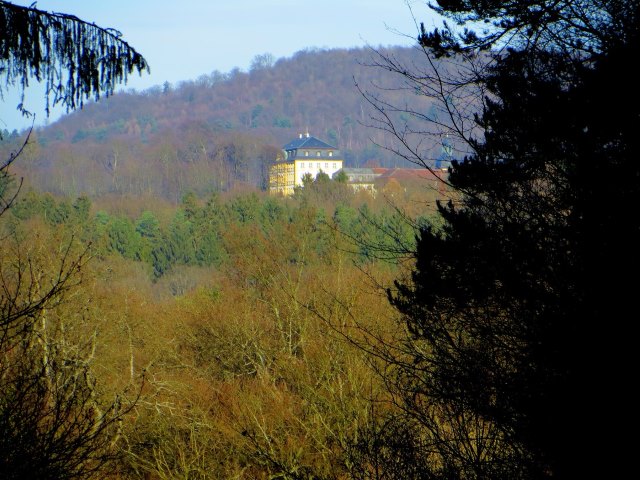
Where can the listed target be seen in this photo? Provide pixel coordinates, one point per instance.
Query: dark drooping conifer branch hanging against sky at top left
(75, 59)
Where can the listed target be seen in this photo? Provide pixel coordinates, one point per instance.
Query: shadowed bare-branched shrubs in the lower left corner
(59, 416)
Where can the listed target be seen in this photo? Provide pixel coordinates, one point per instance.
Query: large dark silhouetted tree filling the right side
(516, 304)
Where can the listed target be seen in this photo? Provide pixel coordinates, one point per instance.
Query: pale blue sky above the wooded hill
(182, 40)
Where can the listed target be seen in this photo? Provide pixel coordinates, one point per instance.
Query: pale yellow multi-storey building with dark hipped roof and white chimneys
(302, 156)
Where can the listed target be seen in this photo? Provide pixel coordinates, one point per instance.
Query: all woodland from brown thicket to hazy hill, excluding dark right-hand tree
(180, 322)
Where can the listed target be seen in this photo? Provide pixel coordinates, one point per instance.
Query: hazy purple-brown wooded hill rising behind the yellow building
(219, 130)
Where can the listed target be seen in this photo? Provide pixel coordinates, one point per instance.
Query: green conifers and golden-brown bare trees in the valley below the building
(224, 320)
